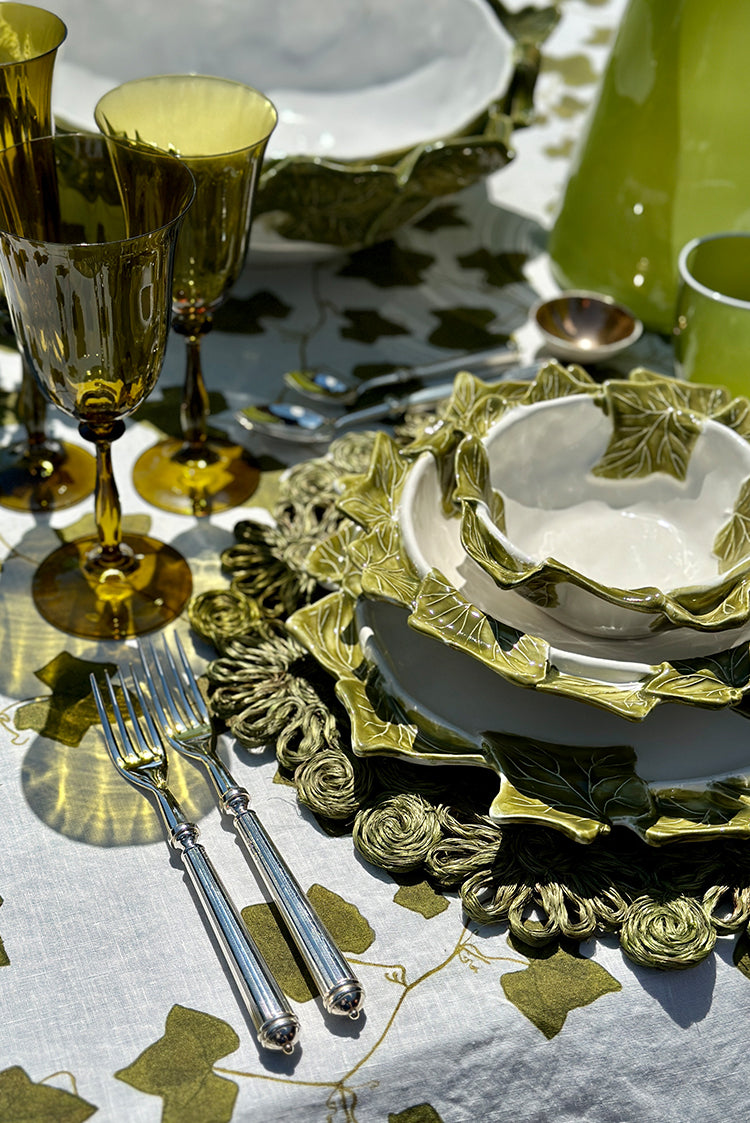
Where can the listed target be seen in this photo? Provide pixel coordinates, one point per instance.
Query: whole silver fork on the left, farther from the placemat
(139, 754)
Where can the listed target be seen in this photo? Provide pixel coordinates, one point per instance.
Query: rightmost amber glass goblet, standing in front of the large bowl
(221, 130)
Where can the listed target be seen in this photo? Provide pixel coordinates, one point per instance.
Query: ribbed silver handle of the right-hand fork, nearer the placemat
(340, 989)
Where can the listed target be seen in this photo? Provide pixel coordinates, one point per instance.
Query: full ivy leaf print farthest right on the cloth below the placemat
(556, 982)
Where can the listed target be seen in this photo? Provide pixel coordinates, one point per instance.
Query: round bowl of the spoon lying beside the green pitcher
(586, 327)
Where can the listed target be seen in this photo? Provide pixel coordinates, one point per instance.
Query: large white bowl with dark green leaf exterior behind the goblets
(385, 106)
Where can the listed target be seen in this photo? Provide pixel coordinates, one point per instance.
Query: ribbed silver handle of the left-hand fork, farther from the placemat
(277, 1027)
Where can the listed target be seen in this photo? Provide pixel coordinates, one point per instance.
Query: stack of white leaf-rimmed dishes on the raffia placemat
(553, 582)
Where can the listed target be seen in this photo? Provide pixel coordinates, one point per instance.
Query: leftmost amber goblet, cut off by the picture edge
(36, 473)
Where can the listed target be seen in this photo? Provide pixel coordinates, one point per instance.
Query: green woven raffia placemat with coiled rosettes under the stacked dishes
(666, 906)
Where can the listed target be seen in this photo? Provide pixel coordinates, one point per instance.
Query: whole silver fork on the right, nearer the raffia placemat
(184, 715)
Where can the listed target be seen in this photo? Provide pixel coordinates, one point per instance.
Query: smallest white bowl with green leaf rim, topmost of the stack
(621, 510)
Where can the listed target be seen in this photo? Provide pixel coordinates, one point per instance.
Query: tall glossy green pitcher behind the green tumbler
(665, 157)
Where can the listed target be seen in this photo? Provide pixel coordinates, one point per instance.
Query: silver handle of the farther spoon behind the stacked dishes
(324, 386)
